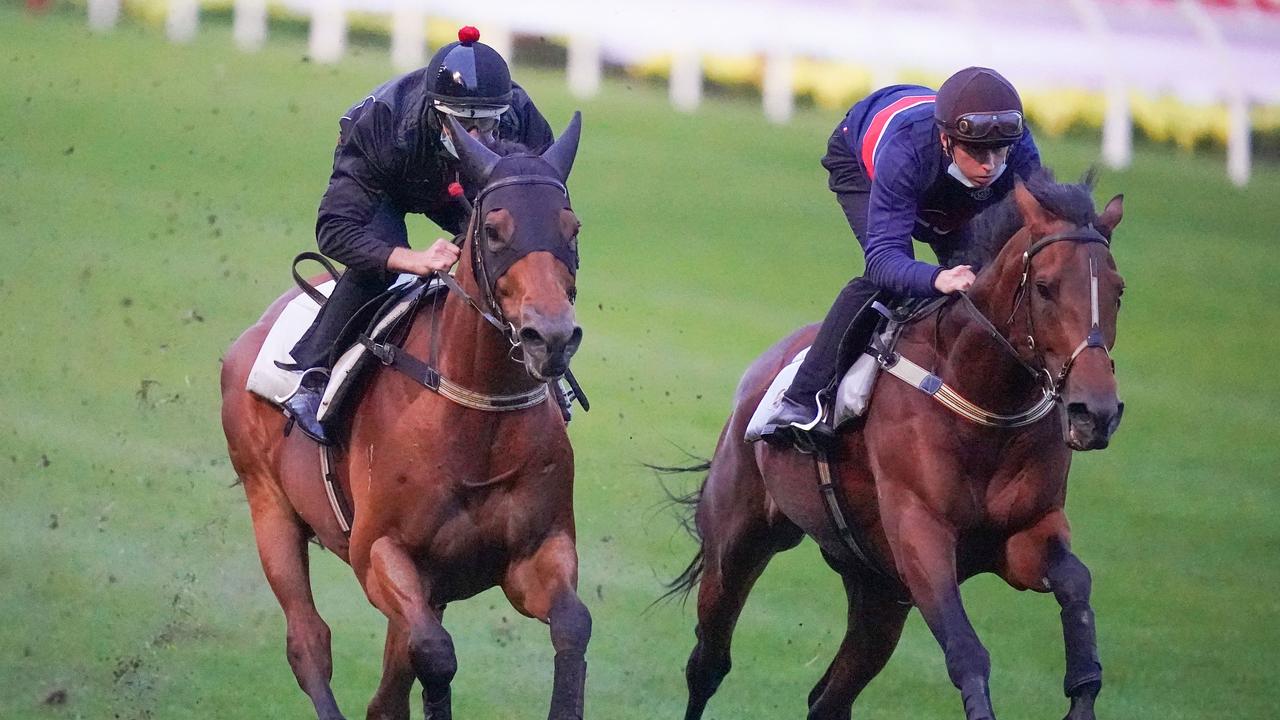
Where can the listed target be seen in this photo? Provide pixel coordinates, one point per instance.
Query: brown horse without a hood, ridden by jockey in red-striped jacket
(938, 498)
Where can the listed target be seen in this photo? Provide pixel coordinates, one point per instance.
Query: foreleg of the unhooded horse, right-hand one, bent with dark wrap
(1041, 559)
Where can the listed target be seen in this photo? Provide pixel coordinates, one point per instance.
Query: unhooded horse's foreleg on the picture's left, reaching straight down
(925, 550)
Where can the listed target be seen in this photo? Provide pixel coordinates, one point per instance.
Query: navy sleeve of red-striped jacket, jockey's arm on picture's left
(892, 262)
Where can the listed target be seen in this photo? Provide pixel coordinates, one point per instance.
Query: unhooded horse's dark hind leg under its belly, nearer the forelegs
(875, 626)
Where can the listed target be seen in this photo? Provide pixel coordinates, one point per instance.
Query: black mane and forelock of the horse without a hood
(993, 229)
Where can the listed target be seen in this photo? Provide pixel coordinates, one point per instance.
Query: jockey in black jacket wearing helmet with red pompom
(395, 157)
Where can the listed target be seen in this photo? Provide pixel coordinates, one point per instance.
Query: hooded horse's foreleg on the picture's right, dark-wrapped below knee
(545, 586)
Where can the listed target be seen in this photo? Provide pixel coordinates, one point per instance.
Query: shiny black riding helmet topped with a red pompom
(469, 79)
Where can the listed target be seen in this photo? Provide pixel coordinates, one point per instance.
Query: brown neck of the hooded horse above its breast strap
(469, 350)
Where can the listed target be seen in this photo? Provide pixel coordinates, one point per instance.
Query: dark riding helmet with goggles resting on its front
(979, 107)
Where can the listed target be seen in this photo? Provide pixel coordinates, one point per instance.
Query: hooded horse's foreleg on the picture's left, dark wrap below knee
(396, 587)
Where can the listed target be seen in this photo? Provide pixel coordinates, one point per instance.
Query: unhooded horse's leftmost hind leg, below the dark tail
(739, 540)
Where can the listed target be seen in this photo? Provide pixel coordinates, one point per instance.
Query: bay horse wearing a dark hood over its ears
(449, 500)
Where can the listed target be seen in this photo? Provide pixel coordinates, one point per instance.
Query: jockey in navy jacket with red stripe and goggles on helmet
(908, 162)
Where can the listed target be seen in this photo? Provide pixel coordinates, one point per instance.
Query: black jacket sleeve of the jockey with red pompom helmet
(356, 189)
